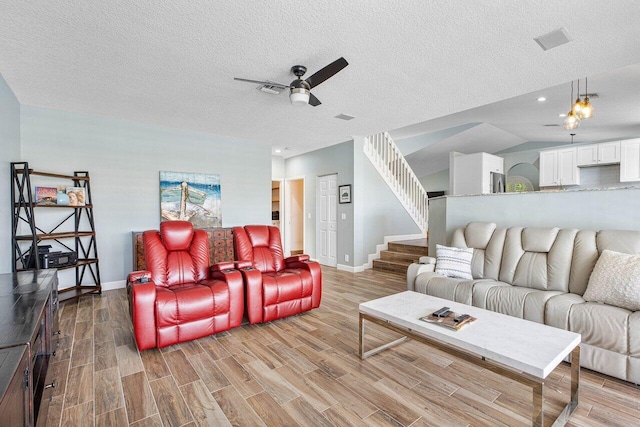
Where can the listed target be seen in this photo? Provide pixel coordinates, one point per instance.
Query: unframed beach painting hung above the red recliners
(193, 197)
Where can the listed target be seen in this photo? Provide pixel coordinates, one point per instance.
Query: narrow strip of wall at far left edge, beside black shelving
(10, 152)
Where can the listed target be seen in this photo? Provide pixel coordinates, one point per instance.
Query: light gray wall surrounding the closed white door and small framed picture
(335, 159)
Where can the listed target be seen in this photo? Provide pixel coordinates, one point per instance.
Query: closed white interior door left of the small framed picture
(327, 212)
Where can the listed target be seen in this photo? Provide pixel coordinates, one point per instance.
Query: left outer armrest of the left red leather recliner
(142, 302)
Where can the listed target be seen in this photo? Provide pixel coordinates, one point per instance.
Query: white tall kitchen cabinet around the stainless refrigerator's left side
(472, 172)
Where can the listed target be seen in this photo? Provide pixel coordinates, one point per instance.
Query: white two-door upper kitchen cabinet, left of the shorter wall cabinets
(559, 167)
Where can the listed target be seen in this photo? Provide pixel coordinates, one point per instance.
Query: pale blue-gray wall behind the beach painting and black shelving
(124, 160)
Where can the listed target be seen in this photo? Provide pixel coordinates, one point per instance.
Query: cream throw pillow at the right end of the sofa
(615, 280)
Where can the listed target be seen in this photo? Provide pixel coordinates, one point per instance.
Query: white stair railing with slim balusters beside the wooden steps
(384, 154)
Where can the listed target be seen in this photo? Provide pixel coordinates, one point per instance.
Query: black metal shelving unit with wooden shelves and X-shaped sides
(75, 231)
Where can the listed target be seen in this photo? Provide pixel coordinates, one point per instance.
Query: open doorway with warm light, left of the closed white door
(294, 216)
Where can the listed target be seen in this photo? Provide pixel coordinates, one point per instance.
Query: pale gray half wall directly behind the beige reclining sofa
(614, 209)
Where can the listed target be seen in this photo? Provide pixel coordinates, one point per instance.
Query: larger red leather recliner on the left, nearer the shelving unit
(180, 297)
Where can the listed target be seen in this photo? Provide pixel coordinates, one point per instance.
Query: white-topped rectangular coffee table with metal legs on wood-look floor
(518, 349)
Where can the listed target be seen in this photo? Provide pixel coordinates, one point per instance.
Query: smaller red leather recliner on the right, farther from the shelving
(275, 287)
